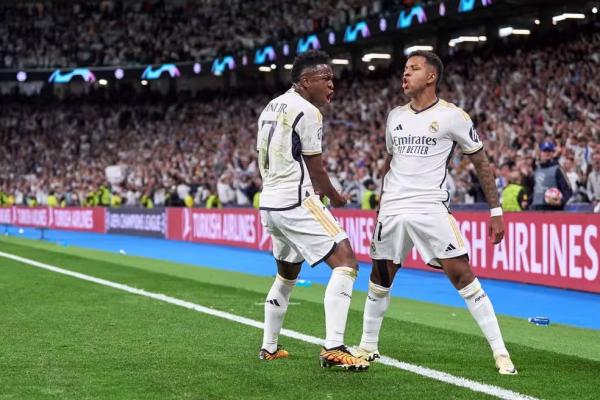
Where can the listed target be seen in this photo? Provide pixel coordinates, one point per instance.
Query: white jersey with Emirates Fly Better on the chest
(421, 144)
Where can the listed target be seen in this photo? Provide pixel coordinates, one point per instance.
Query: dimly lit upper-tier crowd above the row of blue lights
(120, 32)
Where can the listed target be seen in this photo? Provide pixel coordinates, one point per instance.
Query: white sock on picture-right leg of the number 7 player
(337, 303)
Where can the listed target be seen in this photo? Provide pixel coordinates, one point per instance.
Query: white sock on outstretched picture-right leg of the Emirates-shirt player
(482, 311)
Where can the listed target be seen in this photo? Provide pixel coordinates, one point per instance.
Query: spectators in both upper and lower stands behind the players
(535, 105)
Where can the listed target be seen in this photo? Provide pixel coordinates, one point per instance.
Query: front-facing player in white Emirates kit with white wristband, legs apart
(420, 140)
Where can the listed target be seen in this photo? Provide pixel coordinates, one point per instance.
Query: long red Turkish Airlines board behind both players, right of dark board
(553, 249)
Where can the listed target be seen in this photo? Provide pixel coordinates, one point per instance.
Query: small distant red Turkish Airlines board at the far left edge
(79, 219)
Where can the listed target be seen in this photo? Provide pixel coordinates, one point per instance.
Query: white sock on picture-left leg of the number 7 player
(275, 309)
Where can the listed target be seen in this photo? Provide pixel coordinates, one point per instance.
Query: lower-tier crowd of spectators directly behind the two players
(154, 153)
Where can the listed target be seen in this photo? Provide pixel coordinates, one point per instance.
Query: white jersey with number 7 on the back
(288, 127)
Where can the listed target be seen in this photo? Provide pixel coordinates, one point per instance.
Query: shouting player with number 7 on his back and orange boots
(290, 131)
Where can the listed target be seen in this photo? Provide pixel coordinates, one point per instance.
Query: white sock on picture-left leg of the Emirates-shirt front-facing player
(377, 303)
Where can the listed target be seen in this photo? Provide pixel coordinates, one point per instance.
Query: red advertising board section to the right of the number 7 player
(553, 249)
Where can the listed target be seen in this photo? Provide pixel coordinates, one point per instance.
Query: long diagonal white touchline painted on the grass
(423, 371)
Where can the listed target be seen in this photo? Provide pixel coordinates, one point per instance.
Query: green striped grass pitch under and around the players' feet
(66, 338)
